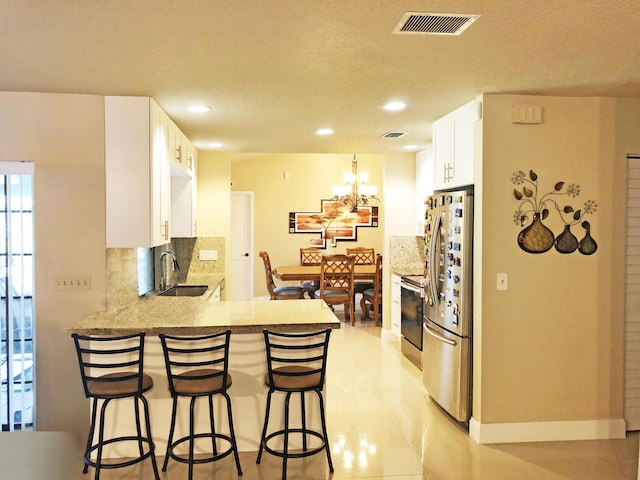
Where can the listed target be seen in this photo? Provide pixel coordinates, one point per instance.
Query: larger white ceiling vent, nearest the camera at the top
(417, 23)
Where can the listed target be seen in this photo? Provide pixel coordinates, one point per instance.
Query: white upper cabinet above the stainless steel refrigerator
(453, 147)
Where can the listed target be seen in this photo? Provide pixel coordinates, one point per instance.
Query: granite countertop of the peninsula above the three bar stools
(197, 316)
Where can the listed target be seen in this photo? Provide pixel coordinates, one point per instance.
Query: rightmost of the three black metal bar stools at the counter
(296, 363)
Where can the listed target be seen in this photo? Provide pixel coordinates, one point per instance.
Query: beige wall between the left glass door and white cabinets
(64, 136)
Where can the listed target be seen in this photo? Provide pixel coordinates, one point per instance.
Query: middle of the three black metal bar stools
(198, 367)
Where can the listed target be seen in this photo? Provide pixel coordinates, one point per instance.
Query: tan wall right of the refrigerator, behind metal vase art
(550, 348)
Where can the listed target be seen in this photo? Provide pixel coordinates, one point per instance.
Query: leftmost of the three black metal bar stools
(102, 360)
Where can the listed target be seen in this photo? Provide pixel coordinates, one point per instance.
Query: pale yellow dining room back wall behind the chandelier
(311, 177)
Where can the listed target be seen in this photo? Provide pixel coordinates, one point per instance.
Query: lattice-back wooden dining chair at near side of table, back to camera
(336, 283)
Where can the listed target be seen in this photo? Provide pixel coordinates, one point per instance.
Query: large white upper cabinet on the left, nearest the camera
(138, 182)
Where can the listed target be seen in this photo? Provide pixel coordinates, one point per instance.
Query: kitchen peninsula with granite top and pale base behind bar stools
(196, 316)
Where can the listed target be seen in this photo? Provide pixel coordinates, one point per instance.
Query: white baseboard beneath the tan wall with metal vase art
(546, 431)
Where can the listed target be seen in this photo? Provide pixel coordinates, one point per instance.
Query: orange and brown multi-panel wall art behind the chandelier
(334, 222)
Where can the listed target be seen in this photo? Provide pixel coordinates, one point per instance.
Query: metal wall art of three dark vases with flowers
(534, 208)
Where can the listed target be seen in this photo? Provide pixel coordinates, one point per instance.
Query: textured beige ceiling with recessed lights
(273, 71)
